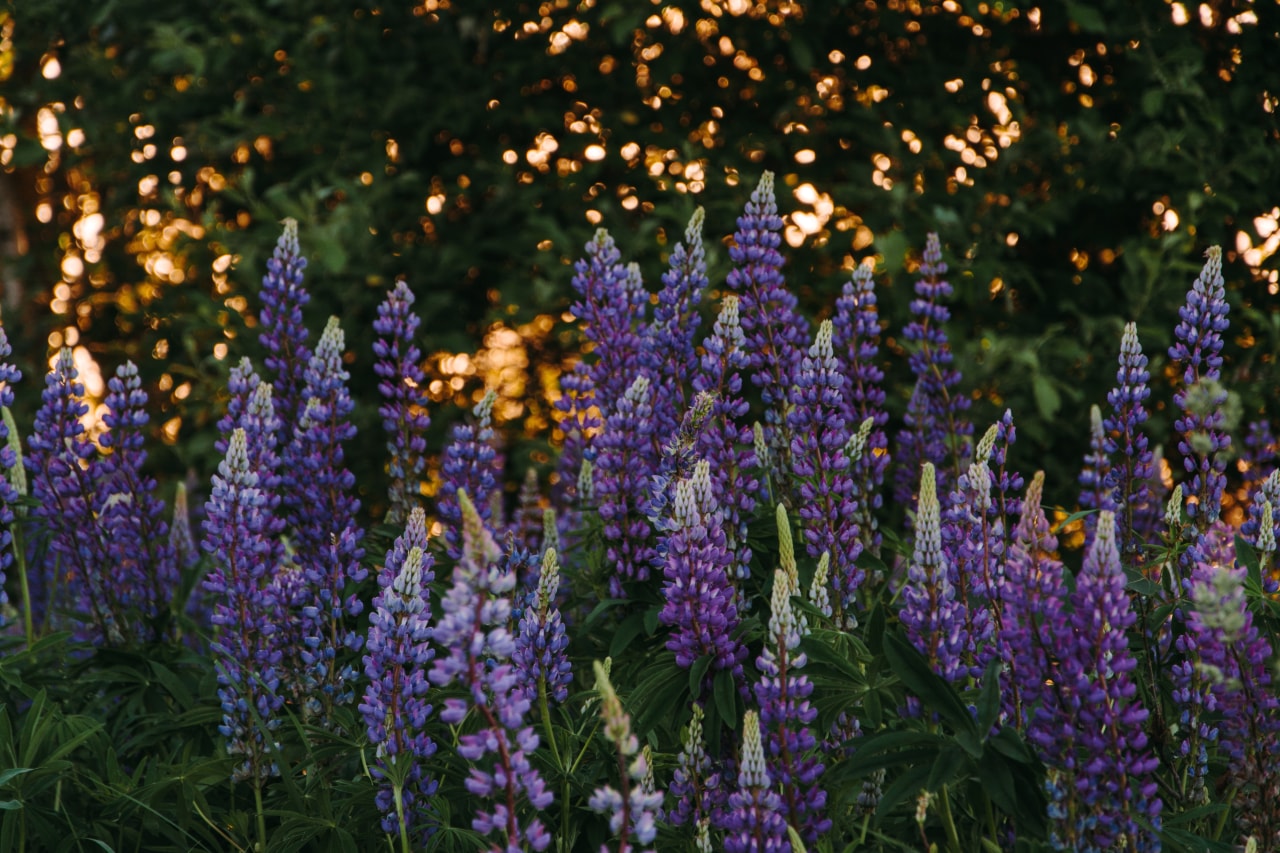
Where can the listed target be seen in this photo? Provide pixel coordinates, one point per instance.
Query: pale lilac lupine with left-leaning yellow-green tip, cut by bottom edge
(634, 810)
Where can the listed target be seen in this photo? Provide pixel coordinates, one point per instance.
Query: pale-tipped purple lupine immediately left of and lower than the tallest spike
(726, 444)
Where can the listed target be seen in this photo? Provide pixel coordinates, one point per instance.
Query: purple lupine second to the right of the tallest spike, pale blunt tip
(857, 344)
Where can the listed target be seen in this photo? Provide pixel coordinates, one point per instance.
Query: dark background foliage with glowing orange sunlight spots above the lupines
(1076, 158)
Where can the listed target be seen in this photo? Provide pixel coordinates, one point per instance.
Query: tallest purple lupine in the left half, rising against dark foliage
(284, 332)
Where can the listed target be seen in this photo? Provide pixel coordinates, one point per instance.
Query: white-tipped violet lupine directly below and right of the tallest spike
(822, 473)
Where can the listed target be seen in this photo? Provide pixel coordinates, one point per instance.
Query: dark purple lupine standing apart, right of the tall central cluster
(936, 428)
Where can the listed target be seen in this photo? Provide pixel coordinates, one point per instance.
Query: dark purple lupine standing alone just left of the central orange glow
(403, 385)
